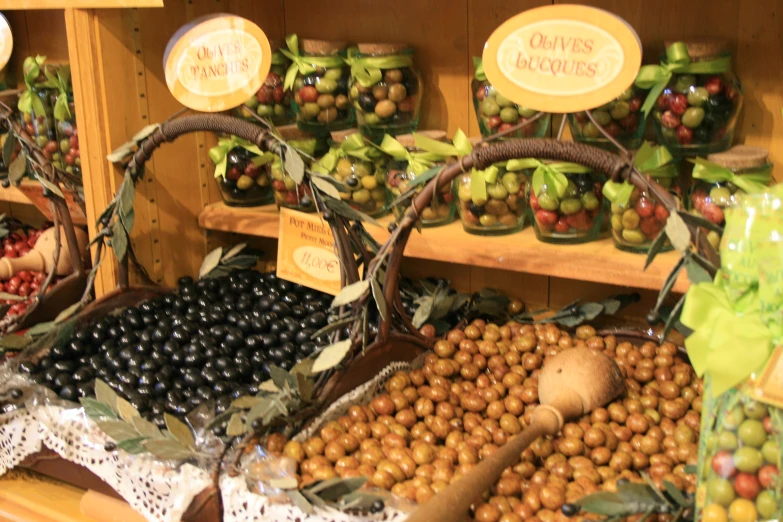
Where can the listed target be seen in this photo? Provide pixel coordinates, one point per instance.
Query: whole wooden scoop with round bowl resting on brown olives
(572, 383)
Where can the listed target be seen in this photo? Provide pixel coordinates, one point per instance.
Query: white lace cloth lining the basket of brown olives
(242, 505)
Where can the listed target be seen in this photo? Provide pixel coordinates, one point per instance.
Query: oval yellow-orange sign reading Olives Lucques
(562, 58)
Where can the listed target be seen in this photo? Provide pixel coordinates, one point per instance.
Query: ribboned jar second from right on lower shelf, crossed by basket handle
(637, 218)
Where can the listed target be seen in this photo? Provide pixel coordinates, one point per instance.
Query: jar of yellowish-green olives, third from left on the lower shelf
(359, 168)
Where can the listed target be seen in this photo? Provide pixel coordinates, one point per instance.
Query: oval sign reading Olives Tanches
(216, 62)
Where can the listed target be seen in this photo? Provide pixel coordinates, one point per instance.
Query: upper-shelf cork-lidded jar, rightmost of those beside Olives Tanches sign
(385, 89)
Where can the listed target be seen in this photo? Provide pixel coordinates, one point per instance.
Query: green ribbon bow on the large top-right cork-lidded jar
(656, 77)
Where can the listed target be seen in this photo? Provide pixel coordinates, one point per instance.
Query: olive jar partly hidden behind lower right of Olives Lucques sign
(621, 118)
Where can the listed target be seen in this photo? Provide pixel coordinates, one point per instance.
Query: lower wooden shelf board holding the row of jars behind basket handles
(598, 261)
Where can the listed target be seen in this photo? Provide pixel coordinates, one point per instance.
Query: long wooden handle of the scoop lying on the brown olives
(453, 502)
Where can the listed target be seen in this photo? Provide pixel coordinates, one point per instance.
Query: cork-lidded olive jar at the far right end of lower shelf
(721, 179)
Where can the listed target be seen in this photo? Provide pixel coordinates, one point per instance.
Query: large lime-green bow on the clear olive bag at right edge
(730, 341)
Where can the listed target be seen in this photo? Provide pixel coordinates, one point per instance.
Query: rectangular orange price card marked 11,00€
(305, 252)
